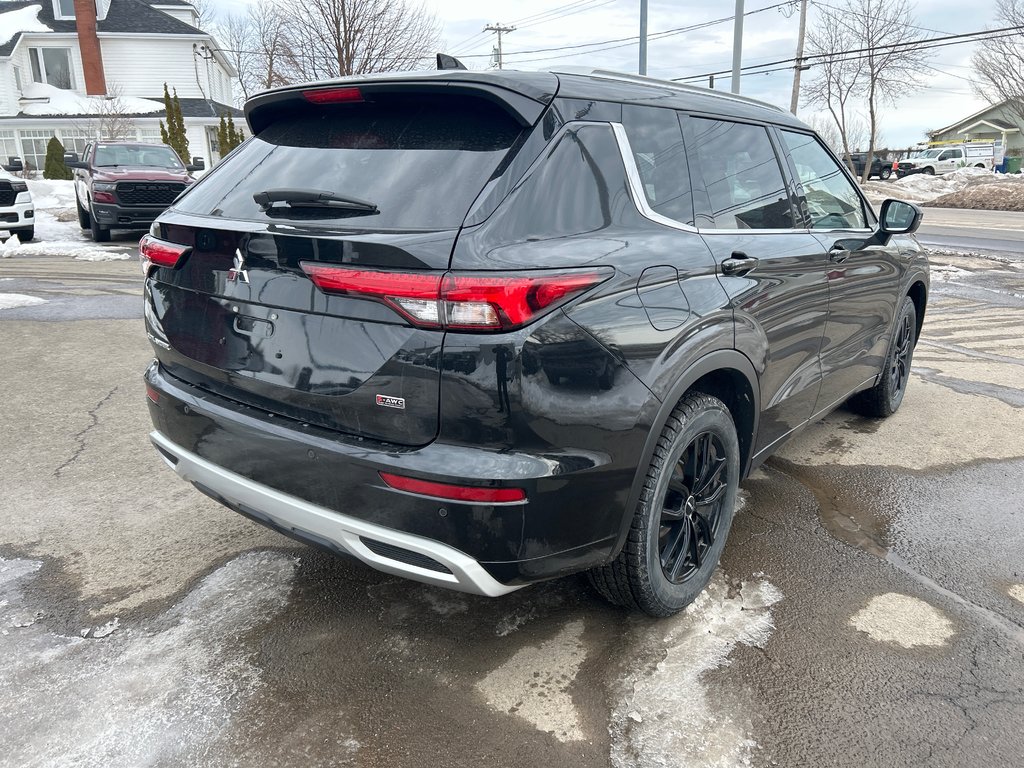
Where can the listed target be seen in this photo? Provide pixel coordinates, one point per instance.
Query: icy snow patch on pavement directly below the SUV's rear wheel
(667, 717)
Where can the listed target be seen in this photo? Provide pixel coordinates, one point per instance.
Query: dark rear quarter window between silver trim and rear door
(657, 141)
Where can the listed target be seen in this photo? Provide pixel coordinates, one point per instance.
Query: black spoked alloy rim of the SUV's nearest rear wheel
(692, 508)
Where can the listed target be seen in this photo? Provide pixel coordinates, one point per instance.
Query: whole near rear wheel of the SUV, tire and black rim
(673, 547)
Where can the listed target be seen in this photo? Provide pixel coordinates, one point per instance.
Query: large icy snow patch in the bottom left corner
(156, 694)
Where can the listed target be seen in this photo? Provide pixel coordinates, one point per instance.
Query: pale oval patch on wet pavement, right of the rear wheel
(905, 621)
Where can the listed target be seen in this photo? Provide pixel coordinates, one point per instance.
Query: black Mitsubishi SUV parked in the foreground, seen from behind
(482, 329)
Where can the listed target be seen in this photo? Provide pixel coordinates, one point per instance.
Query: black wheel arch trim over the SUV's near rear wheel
(726, 374)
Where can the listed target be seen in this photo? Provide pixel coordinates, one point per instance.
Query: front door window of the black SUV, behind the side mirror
(833, 202)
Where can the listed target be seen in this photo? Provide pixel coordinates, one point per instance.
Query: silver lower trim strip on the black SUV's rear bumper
(292, 514)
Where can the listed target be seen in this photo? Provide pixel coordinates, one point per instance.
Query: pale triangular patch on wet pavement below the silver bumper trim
(534, 685)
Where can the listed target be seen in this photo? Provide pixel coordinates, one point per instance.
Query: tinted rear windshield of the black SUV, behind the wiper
(422, 162)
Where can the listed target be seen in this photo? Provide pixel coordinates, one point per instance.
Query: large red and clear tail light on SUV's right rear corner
(460, 302)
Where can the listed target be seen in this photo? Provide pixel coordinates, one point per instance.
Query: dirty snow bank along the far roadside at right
(967, 188)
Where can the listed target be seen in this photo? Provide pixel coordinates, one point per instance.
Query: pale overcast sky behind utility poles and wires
(947, 97)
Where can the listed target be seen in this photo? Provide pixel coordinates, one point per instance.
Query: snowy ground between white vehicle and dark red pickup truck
(58, 233)
